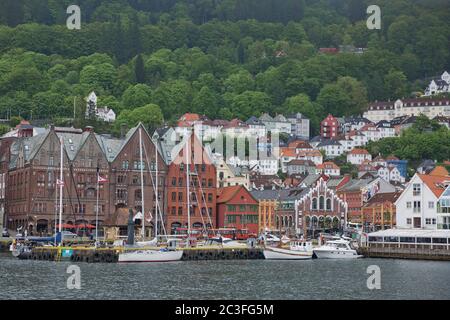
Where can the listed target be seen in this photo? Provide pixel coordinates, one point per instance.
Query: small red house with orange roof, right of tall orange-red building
(237, 208)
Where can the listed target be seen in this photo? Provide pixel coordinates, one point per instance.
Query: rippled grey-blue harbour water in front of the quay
(260, 279)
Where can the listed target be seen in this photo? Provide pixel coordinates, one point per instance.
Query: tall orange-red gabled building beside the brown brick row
(202, 187)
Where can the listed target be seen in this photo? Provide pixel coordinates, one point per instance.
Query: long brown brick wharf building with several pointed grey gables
(31, 166)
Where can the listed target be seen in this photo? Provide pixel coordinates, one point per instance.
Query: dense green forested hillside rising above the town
(224, 58)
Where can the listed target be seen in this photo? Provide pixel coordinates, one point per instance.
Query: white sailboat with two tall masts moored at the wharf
(152, 255)
